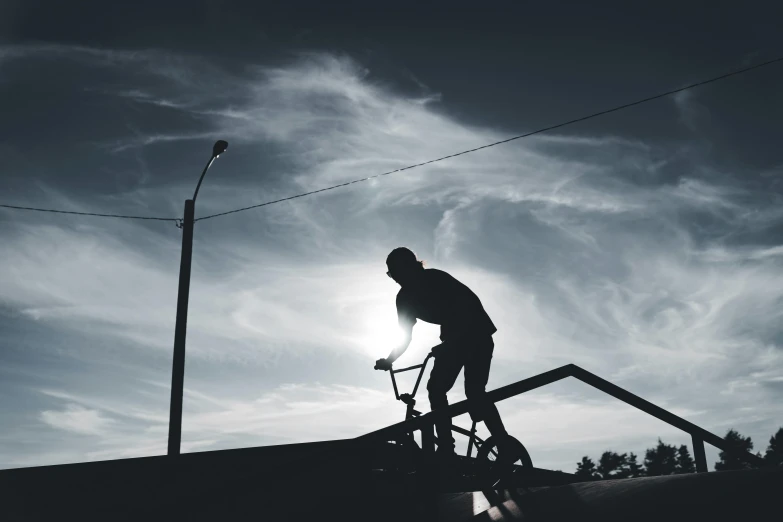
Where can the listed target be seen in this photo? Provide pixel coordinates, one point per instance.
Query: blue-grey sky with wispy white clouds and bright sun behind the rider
(642, 246)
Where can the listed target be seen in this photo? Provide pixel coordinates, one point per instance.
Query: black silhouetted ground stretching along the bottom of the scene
(319, 481)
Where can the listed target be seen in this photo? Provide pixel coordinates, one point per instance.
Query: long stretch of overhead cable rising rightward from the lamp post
(583, 118)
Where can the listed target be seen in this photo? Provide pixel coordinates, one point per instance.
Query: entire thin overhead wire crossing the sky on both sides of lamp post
(539, 131)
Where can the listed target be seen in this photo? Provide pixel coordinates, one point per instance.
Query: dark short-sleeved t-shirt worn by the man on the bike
(439, 298)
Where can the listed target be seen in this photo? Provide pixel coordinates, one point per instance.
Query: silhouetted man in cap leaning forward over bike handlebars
(466, 330)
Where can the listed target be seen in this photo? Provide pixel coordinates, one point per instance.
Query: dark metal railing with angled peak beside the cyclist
(425, 423)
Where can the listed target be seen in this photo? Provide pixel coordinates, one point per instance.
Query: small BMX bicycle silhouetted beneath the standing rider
(487, 451)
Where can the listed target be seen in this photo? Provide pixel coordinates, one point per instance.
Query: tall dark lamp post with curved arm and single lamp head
(178, 368)
